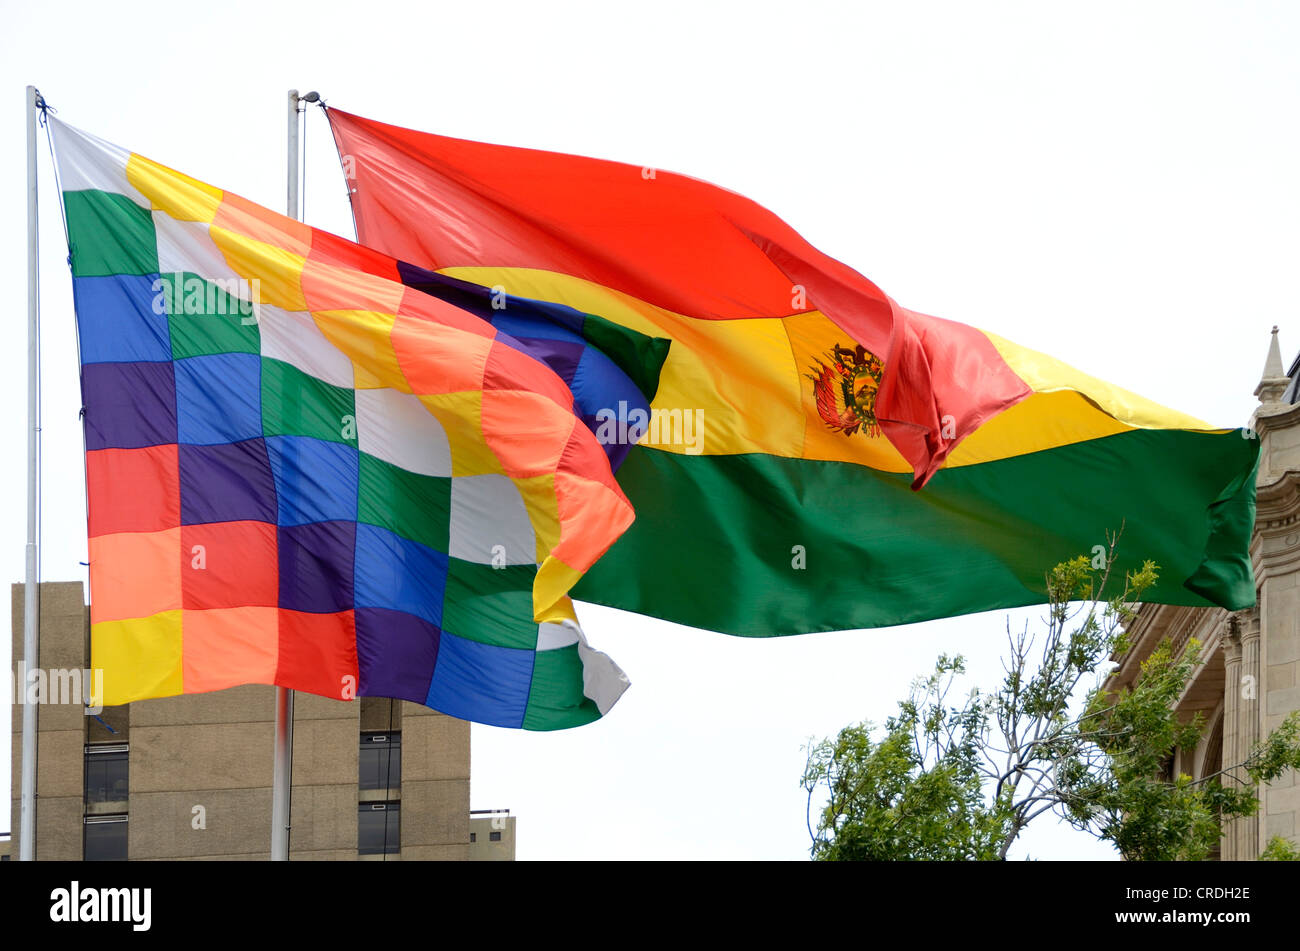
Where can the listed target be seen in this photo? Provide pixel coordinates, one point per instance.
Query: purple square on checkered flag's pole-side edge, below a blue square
(129, 406)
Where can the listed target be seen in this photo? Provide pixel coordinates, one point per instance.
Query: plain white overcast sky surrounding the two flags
(1112, 184)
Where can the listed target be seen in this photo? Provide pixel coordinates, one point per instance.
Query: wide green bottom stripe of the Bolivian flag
(761, 545)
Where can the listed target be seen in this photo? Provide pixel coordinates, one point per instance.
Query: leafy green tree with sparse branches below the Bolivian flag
(960, 781)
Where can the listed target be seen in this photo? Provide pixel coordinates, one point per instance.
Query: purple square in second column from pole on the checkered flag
(231, 483)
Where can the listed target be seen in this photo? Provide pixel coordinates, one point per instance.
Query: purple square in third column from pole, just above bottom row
(317, 567)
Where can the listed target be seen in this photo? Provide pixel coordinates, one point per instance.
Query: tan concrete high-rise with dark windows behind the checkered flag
(190, 778)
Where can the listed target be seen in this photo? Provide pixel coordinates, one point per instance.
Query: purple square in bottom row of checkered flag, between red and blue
(396, 653)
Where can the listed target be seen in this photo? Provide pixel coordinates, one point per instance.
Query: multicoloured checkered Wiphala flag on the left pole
(304, 472)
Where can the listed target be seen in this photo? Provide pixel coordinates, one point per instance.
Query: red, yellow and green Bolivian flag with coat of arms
(817, 457)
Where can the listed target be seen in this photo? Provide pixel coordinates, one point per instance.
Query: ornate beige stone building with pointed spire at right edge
(1249, 678)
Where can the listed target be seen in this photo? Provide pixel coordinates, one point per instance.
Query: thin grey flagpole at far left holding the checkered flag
(31, 610)
